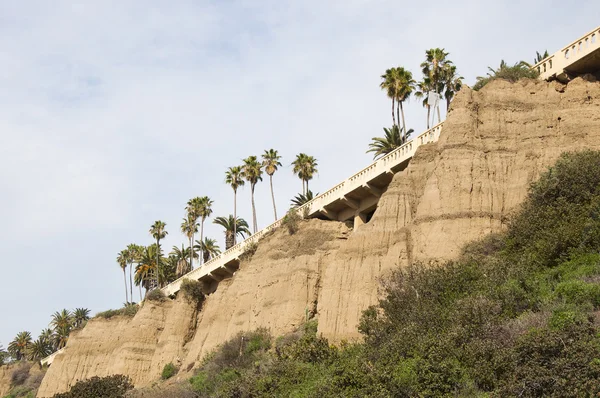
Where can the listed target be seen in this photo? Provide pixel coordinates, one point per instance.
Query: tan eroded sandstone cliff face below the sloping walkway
(494, 144)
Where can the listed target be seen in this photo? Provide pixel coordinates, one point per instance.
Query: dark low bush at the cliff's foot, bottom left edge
(106, 387)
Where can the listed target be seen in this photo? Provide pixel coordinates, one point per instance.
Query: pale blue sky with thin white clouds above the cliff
(114, 113)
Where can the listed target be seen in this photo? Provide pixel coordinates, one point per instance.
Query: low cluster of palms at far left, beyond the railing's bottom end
(50, 339)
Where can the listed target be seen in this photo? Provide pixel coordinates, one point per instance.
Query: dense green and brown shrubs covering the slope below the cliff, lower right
(516, 315)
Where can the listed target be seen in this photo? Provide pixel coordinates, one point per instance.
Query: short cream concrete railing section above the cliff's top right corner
(557, 62)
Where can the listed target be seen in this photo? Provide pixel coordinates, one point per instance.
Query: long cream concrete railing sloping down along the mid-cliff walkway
(382, 165)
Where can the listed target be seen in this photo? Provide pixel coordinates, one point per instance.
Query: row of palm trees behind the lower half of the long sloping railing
(153, 270)
